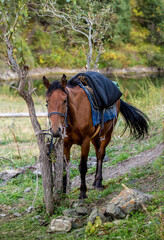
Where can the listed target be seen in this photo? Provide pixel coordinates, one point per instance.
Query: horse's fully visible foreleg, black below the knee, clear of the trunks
(83, 167)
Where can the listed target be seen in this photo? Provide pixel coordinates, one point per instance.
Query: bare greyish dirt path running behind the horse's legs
(125, 166)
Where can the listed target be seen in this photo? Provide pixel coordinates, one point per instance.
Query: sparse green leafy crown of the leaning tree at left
(14, 16)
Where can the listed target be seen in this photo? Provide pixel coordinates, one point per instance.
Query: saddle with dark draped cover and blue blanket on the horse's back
(102, 94)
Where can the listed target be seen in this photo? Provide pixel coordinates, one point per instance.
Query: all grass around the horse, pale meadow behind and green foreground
(145, 224)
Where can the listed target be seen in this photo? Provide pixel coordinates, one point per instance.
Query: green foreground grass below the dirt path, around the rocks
(145, 224)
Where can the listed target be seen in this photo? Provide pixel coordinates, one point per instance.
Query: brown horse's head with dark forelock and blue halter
(57, 103)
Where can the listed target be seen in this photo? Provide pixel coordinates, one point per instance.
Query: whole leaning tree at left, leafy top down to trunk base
(10, 19)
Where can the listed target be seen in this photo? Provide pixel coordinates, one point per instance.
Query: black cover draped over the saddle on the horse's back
(105, 91)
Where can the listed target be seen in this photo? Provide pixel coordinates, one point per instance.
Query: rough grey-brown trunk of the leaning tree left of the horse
(26, 95)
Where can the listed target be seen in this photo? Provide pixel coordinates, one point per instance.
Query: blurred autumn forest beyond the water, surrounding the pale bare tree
(134, 36)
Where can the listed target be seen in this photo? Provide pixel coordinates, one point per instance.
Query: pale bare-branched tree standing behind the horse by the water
(90, 24)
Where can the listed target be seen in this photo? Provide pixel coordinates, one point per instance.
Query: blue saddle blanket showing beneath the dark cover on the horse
(108, 113)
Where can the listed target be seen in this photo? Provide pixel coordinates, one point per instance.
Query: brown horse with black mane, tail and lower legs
(69, 109)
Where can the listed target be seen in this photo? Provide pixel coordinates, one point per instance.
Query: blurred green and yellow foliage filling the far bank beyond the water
(129, 33)
